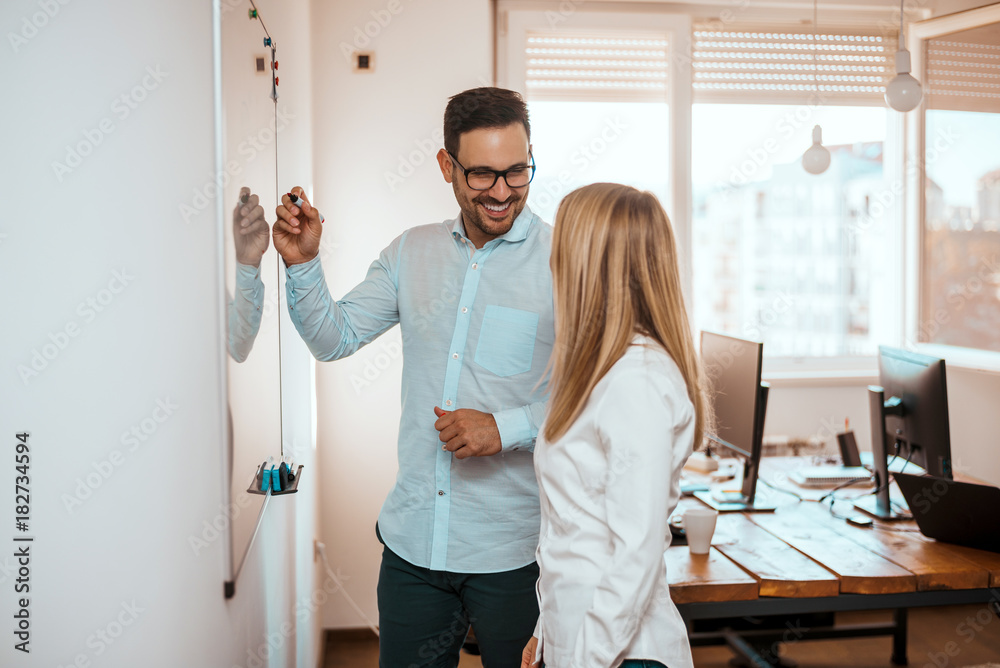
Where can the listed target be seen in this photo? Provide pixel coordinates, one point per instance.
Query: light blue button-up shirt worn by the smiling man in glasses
(477, 333)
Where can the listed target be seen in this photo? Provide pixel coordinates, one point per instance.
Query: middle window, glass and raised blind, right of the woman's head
(781, 255)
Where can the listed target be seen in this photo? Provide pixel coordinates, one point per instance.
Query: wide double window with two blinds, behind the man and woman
(806, 263)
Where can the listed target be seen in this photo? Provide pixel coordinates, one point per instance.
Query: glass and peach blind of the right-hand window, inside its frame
(960, 281)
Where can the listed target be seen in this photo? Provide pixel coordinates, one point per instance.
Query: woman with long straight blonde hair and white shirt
(625, 412)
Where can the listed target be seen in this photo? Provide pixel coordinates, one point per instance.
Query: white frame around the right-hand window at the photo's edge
(920, 32)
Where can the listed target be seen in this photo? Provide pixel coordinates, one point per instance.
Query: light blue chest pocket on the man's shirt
(507, 340)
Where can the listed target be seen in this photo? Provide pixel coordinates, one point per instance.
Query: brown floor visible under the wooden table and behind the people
(953, 637)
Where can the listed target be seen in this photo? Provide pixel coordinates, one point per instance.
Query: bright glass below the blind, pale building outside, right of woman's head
(788, 257)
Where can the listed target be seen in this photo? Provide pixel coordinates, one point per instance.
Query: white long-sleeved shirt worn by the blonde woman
(607, 489)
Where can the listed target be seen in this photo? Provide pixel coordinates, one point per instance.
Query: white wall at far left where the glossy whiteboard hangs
(155, 339)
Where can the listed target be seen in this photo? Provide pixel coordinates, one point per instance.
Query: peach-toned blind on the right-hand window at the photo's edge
(963, 74)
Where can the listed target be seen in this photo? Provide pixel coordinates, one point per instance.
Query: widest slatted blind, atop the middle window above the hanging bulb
(790, 66)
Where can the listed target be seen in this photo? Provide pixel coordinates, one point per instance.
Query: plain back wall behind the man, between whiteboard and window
(368, 125)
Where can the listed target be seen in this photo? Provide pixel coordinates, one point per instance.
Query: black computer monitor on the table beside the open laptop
(909, 419)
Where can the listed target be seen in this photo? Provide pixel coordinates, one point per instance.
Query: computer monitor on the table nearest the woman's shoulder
(739, 403)
